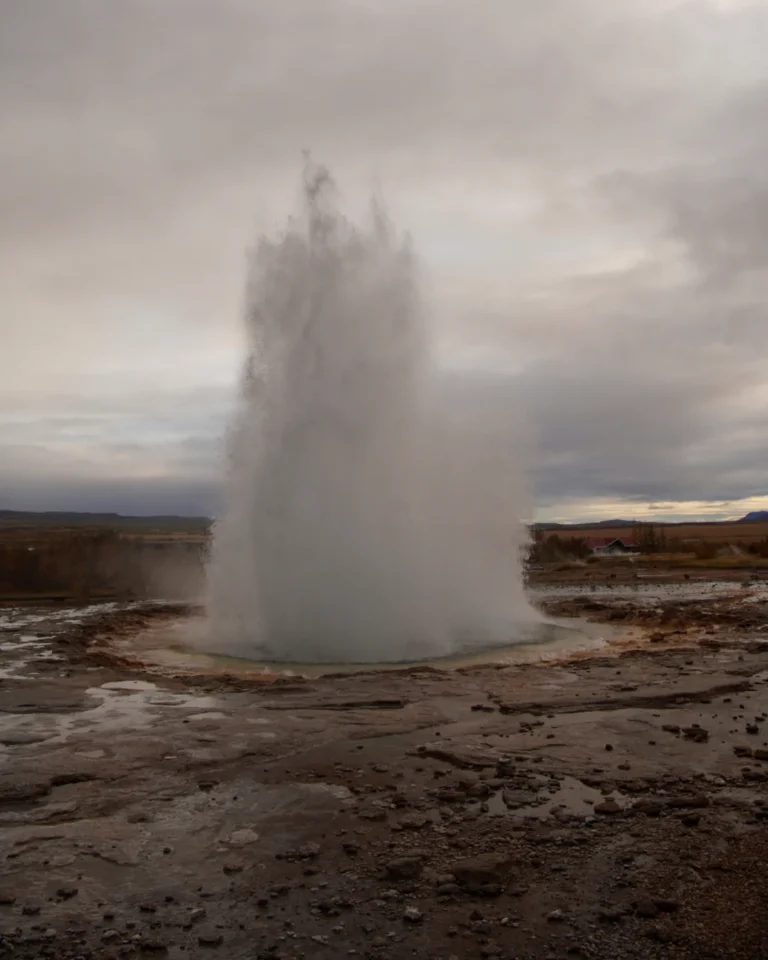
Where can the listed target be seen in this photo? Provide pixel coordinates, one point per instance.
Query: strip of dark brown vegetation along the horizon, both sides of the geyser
(146, 560)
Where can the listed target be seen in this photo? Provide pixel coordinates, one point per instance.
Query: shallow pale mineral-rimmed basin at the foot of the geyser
(179, 646)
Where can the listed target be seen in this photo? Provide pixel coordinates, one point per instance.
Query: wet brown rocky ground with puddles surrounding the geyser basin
(610, 802)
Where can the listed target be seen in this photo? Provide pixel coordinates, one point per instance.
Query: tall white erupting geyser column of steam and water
(369, 517)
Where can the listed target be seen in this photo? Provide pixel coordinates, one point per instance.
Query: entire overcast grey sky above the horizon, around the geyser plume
(586, 182)
